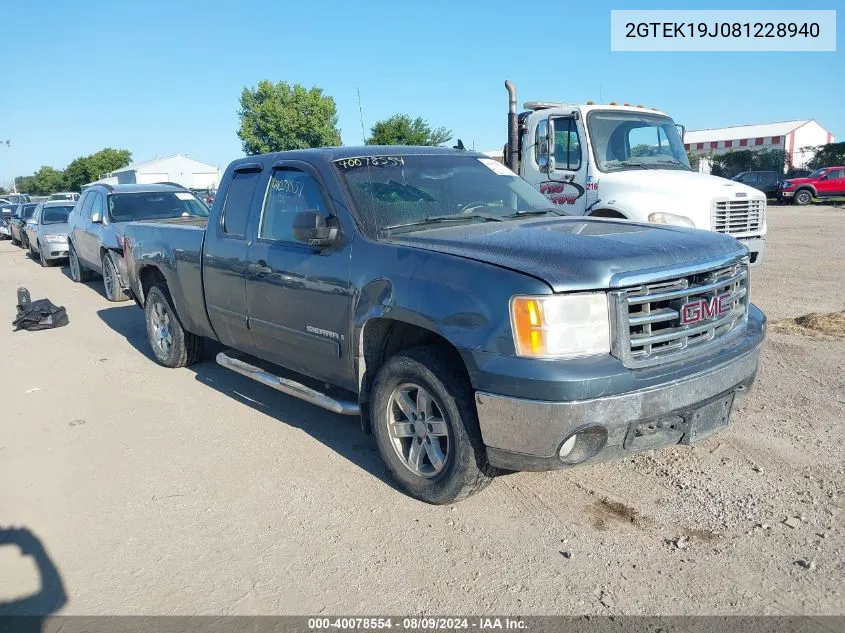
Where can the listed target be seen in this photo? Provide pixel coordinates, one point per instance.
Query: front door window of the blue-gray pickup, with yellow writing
(290, 191)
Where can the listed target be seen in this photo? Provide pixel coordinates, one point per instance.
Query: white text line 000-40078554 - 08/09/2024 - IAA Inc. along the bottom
(417, 623)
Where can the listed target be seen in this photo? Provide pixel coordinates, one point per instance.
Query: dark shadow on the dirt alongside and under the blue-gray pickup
(341, 433)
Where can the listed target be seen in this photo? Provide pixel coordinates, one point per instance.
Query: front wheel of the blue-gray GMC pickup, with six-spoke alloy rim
(426, 427)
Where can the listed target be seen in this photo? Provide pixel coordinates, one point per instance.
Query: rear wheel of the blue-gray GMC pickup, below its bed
(172, 345)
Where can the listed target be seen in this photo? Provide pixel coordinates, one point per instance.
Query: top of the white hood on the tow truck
(689, 183)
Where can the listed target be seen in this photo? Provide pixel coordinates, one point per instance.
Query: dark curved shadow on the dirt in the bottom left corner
(27, 613)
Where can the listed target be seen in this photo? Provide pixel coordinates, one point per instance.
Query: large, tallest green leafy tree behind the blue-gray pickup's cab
(278, 117)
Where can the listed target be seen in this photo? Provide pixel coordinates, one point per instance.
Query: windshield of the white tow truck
(631, 140)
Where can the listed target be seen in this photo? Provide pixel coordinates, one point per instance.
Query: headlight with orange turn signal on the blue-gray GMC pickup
(561, 326)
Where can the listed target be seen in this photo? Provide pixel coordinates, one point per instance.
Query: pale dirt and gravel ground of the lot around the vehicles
(191, 491)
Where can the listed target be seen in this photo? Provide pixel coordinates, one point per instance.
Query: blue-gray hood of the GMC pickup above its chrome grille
(576, 253)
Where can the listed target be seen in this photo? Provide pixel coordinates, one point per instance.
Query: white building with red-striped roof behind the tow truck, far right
(795, 138)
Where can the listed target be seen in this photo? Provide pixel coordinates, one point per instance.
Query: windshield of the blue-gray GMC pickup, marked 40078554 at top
(412, 192)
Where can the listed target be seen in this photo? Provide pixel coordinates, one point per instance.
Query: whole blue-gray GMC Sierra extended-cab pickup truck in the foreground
(471, 326)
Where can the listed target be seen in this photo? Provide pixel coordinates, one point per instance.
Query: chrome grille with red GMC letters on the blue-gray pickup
(673, 319)
